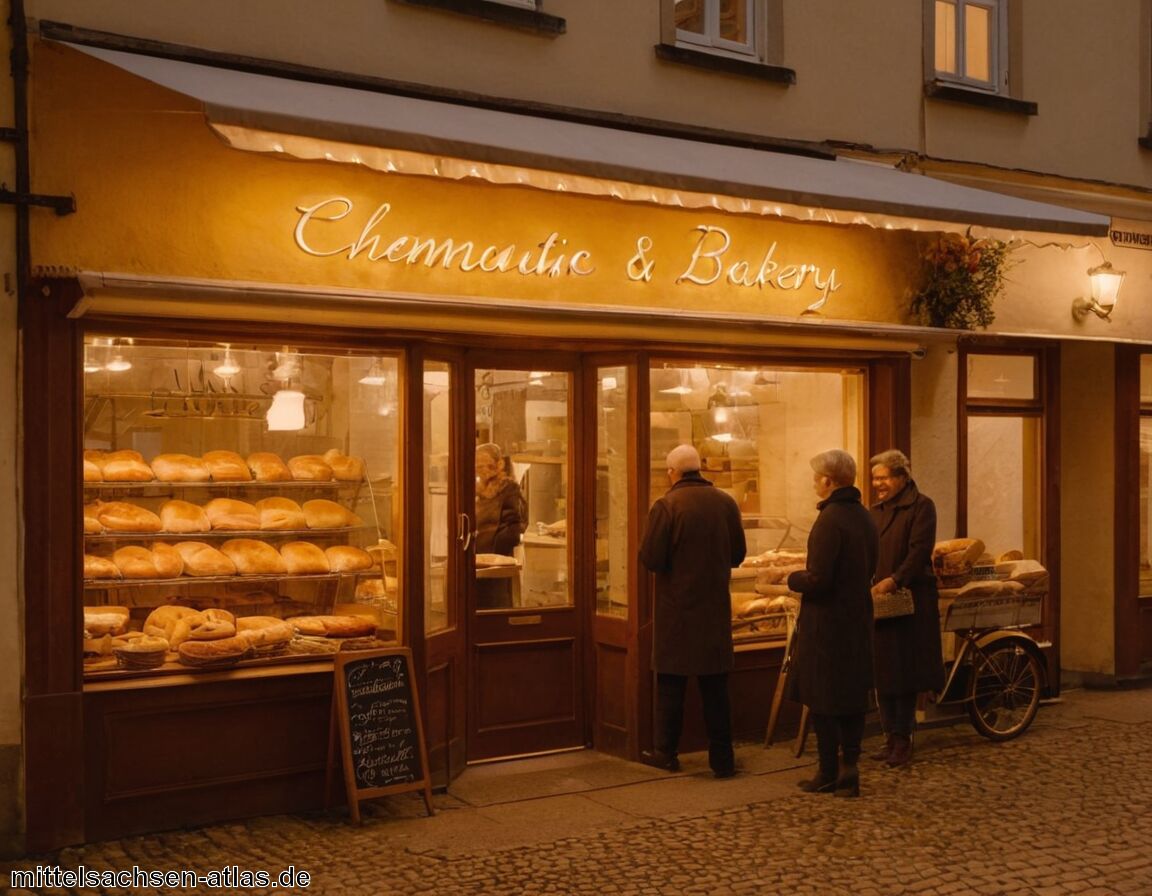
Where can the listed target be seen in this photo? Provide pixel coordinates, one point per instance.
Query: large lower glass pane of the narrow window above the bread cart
(1004, 484)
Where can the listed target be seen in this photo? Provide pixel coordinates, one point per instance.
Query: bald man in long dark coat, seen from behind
(694, 540)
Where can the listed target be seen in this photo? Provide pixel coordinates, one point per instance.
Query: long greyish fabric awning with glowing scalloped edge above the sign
(395, 133)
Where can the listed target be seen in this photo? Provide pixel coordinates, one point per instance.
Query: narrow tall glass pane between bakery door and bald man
(613, 477)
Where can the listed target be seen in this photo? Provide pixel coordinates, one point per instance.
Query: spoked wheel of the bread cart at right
(1006, 692)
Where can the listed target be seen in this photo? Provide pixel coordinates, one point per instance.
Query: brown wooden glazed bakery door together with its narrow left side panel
(502, 625)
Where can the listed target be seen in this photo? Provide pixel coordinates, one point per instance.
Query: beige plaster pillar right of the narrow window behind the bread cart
(1087, 510)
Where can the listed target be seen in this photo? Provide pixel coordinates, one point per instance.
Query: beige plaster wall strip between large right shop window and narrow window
(934, 449)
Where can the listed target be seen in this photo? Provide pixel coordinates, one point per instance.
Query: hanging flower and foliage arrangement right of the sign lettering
(962, 278)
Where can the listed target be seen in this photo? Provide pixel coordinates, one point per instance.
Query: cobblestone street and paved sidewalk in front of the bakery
(1067, 809)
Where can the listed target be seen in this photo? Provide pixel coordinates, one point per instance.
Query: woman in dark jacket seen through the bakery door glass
(502, 518)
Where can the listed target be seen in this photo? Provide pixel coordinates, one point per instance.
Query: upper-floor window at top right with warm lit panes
(972, 43)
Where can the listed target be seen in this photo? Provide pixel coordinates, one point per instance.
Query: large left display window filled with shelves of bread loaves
(240, 505)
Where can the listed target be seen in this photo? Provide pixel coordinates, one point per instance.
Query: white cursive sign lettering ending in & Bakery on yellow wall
(331, 229)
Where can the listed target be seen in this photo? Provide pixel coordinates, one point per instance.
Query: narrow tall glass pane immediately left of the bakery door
(439, 612)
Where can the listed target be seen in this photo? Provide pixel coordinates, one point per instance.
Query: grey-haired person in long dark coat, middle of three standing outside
(831, 667)
